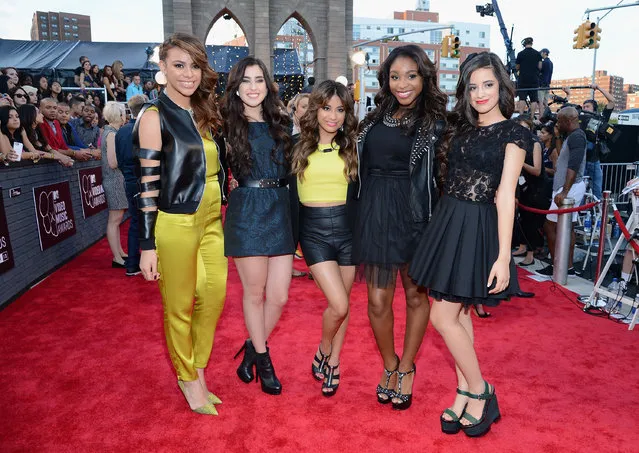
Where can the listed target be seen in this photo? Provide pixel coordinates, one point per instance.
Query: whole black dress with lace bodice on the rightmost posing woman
(461, 243)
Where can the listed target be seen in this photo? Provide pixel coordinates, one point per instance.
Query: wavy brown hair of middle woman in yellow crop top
(346, 137)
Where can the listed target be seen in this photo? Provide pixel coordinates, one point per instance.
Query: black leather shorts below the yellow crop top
(325, 235)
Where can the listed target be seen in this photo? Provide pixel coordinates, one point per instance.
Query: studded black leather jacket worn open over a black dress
(423, 190)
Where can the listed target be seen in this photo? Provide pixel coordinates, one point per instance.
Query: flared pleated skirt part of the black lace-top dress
(457, 251)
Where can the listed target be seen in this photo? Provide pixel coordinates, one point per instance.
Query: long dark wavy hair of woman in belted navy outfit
(236, 123)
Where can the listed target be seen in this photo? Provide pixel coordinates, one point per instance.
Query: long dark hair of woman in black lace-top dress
(464, 118)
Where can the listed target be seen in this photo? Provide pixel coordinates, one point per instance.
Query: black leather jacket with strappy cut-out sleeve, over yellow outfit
(182, 167)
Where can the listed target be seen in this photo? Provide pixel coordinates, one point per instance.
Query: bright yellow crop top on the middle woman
(324, 179)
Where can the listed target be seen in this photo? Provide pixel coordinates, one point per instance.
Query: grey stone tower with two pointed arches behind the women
(328, 22)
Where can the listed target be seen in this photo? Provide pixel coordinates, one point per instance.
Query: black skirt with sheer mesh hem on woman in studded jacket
(385, 236)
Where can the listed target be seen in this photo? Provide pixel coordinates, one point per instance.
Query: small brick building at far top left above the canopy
(60, 26)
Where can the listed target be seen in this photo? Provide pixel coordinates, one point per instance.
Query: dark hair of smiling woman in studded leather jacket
(431, 103)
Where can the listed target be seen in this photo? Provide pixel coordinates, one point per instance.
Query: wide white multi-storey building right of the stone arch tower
(473, 38)
